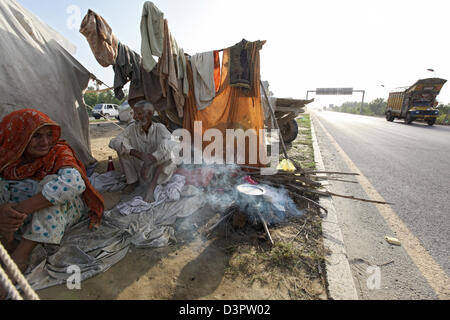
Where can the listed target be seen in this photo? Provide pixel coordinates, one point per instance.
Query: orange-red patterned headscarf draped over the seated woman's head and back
(16, 131)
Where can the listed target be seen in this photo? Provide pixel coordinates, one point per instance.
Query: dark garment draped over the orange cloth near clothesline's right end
(240, 65)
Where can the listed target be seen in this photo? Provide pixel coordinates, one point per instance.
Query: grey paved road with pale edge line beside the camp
(409, 166)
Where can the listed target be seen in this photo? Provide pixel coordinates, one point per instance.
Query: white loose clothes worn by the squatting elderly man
(158, 142)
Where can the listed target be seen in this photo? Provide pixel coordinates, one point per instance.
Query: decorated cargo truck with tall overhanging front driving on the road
(415, 103)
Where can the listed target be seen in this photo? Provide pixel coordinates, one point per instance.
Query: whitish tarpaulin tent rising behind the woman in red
(37, 70)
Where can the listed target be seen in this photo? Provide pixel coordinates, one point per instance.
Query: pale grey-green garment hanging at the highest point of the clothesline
(152, 33)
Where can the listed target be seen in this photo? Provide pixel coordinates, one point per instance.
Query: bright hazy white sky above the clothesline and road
(310, 44)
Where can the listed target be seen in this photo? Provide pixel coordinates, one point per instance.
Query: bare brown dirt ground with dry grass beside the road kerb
(226, 264)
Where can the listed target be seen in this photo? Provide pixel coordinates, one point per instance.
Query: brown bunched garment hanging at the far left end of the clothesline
(100, 37)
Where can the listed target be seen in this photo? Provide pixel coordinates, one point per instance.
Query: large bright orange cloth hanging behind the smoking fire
(232, 108)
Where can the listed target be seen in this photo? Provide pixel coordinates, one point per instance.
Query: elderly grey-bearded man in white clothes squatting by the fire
(144, 151)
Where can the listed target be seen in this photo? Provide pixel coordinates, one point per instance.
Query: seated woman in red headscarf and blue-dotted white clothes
(44, 188)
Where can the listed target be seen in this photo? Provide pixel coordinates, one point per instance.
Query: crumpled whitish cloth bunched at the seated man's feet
(168, 192)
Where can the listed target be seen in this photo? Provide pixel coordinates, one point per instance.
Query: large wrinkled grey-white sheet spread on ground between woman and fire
(96, 251)
